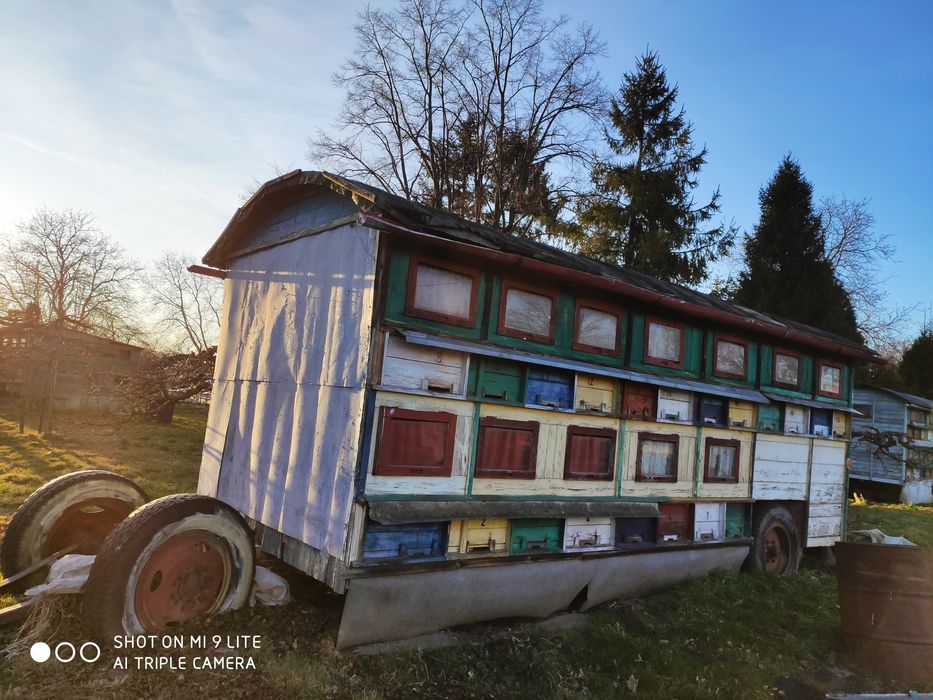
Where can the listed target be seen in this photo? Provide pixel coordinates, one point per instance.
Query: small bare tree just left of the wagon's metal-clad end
(185, 307)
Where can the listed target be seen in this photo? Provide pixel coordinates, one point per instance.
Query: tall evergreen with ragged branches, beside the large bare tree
(641, 214)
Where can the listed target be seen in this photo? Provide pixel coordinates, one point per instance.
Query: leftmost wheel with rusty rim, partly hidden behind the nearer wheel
(76, 510)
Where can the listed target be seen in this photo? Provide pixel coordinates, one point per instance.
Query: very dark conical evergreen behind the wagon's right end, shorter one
(787, 273)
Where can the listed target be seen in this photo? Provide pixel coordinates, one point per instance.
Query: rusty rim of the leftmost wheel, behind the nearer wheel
(85, 525)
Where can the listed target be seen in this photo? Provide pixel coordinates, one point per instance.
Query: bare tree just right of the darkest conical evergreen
(856, 249)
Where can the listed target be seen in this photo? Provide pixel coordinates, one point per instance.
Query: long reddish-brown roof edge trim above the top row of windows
(632, 292)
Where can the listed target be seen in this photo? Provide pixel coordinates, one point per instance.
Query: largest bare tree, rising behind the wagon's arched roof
(471, 106)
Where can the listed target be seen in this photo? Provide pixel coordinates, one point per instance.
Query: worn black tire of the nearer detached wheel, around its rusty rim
(109, 599)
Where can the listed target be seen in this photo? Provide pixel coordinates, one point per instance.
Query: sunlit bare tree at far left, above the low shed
(74, 276)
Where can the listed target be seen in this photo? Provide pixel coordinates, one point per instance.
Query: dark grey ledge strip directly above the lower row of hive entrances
(422, 511)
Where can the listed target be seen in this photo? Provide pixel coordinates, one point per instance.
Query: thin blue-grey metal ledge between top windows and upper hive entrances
(420, 338)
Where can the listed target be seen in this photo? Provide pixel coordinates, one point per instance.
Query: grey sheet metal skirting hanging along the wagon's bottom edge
(390, 606)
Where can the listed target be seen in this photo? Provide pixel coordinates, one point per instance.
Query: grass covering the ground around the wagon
(725, 636)
